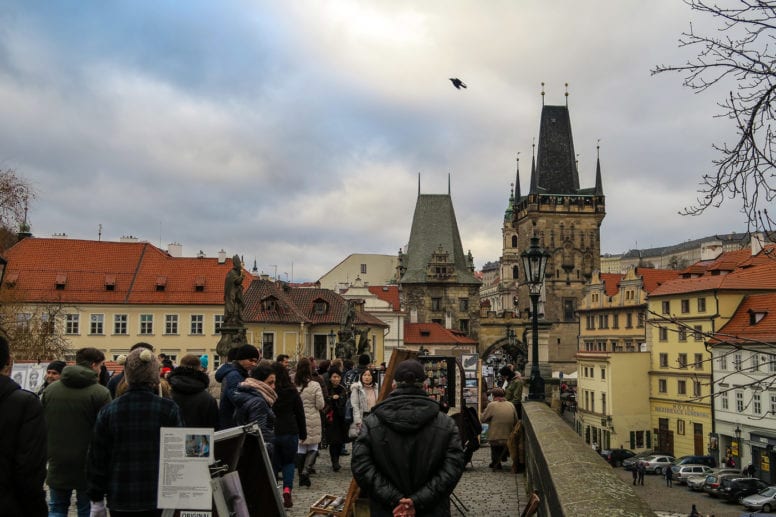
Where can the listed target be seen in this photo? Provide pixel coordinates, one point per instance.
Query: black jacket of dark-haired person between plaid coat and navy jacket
(189, 390)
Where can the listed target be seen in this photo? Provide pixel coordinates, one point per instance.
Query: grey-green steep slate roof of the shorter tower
(434, 226)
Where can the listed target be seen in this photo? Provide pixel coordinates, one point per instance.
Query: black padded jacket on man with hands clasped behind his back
(408, 448)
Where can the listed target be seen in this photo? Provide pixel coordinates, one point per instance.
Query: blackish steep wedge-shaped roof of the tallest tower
(556, 166)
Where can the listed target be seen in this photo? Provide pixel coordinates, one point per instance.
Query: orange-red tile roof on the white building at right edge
(741, 328)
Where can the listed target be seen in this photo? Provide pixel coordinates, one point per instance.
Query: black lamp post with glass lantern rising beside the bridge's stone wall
(534, 262)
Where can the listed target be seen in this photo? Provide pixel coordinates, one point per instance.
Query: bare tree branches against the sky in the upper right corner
(741, 52)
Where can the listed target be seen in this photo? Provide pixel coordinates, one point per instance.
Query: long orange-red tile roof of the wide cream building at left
(134, 270)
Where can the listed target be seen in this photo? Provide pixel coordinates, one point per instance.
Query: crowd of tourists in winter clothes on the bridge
(96, 439)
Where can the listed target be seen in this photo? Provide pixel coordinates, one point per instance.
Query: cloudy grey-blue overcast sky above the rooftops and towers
(293, 132)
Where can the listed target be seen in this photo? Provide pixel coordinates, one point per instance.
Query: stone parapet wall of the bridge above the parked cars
(571, 478)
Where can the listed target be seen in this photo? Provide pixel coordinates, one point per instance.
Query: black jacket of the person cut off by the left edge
(23, 456)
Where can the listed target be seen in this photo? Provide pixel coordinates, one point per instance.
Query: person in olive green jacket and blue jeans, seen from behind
(70, 406)
